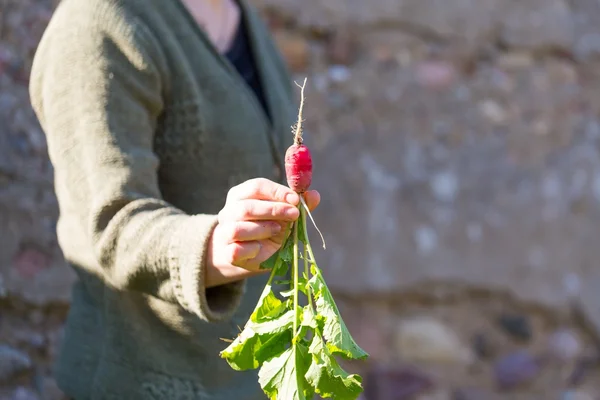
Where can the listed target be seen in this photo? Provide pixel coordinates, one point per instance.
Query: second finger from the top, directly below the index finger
(258, 210)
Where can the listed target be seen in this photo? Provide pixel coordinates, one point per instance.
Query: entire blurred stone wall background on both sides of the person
(456, 151)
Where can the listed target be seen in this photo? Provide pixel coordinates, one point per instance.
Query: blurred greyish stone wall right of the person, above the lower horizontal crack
(456, 140)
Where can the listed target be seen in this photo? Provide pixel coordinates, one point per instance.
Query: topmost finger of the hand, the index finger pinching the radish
(263, 189)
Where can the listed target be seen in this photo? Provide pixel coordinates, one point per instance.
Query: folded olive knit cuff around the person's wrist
(188, 260)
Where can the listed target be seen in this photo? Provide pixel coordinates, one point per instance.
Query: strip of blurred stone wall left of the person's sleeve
(31, 265)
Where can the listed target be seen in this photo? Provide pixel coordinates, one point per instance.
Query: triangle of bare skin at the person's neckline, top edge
(218, 18)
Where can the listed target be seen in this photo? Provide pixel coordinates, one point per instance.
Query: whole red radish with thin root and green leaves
(296, 346)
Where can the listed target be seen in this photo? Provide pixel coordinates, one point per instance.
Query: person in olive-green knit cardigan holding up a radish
(166, 124)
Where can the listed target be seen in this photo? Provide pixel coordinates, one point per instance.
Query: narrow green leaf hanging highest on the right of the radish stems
(339, 340)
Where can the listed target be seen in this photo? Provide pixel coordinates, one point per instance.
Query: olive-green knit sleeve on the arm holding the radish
(97, 89)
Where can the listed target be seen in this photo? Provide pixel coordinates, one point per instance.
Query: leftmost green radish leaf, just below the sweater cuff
(255, 344)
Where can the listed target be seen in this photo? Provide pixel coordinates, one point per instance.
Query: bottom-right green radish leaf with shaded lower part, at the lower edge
(327, 377)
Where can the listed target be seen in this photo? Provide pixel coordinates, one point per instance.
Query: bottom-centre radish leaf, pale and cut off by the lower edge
(282, 377)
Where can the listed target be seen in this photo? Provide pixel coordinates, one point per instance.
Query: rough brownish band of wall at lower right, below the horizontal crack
(514, 369)
